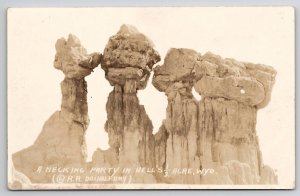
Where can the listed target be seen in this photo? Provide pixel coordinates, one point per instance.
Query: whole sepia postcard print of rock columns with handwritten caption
(151, 98)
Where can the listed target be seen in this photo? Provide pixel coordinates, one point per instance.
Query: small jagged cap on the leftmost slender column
(72, 58)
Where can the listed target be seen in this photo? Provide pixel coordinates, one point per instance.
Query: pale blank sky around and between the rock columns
(259, 35)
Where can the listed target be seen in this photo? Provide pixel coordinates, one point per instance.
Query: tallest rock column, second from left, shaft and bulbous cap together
(127, 61)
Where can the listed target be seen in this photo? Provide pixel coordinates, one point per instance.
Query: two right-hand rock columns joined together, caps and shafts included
(219, 131)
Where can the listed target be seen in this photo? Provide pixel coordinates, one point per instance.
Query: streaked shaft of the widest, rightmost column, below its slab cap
(228, 139)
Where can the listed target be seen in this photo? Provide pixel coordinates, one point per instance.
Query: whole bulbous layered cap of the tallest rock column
(129, 55)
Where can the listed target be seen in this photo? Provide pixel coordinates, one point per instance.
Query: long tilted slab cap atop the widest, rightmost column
(247, 83)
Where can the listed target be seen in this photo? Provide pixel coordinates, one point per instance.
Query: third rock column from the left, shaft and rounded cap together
(176, 141)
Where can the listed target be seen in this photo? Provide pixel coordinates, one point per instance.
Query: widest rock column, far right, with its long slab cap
(232, 92)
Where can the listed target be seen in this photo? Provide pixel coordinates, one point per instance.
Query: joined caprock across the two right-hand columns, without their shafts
(216, 77)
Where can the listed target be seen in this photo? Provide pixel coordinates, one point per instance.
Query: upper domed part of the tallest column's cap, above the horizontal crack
(129, 48)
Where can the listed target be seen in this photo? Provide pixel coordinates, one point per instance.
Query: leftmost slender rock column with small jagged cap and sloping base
(61, 142)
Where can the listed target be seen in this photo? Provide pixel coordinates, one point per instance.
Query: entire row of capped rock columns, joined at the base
(216, 134)
